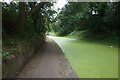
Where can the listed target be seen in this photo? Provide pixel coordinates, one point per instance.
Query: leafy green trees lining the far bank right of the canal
(99, 21)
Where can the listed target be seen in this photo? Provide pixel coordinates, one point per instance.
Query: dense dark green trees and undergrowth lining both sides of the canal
(30, 21)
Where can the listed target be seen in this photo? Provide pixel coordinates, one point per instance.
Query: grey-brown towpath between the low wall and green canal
(48, 62)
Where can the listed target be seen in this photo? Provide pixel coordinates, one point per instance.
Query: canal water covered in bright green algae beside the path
(89, 59)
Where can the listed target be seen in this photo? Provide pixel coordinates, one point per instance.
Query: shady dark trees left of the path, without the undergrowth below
(26, 16)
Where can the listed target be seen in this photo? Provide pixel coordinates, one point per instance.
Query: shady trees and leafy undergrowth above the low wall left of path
(24, 22)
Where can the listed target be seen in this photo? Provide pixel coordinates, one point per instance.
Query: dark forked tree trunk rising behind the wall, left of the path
(23, 15)
